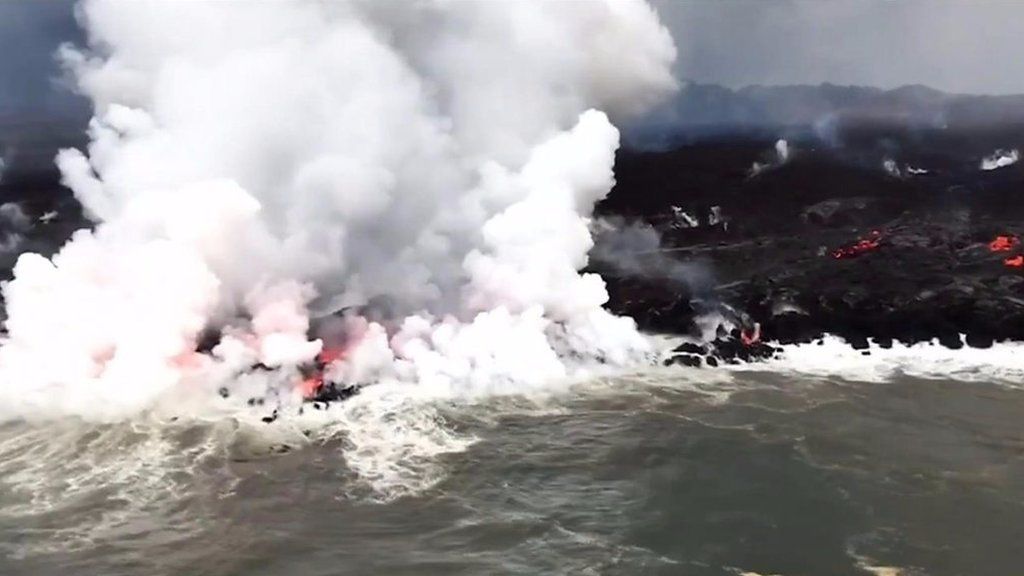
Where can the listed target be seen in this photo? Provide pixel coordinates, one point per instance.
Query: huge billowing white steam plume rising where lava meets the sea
(251, 164)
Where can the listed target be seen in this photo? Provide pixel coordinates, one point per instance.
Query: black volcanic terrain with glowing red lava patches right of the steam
(894, 234)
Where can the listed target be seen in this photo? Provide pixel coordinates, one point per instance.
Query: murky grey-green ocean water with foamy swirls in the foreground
(758, 474)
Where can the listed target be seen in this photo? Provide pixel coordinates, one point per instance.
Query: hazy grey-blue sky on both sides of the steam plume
(956, 46)
